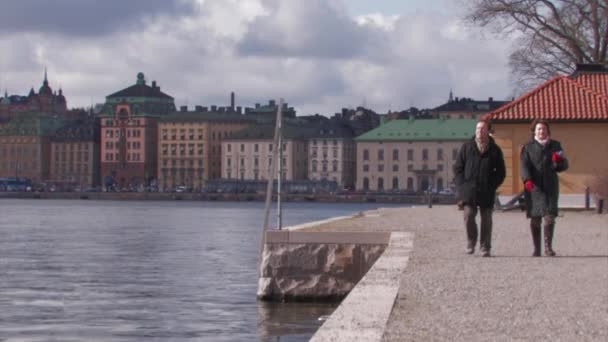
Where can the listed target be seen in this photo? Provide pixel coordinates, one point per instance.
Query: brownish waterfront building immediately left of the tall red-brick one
(74, 155)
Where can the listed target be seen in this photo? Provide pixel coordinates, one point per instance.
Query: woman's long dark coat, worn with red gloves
(536, 165)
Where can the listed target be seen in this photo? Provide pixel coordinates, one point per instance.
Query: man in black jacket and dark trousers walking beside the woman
(479, 170)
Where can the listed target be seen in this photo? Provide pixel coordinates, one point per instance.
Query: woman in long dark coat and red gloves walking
(541, 159)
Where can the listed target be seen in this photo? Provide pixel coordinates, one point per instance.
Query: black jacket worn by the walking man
(477, 176)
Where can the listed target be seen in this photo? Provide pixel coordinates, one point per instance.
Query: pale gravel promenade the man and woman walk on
(446, 295)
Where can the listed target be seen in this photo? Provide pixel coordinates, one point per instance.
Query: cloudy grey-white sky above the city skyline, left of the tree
(319, 55)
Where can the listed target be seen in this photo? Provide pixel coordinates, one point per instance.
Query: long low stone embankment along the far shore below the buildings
(162, 196)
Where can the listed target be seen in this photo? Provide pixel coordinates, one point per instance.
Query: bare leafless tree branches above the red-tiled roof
(553, 35)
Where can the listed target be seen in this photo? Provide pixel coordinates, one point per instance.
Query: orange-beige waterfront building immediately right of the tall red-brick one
(190, 146)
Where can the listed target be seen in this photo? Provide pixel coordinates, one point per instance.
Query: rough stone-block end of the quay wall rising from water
(316, 266)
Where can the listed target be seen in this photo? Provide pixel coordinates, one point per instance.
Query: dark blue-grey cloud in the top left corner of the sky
(84, 17)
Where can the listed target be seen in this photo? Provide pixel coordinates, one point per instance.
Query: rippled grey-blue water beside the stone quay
(73, 270)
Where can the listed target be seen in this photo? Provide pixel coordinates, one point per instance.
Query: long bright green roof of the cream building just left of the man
(422, 130)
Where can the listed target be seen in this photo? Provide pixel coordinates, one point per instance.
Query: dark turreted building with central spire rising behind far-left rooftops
(45, 101)
